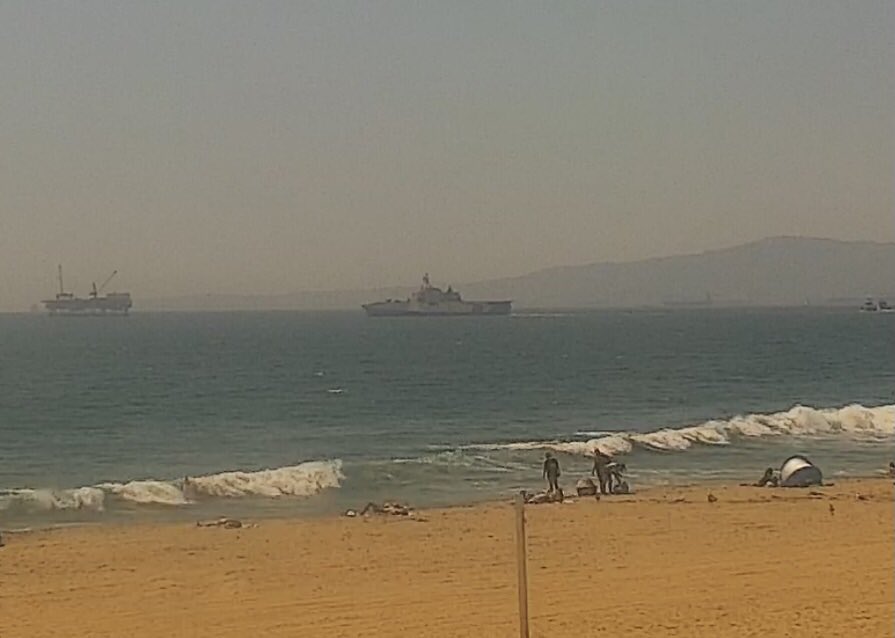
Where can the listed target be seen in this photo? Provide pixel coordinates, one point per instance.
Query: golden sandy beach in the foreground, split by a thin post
(754, 563)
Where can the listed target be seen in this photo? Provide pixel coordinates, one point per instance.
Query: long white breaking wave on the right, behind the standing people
(854, 421)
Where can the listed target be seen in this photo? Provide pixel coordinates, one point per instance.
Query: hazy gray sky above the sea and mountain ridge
(210, 146)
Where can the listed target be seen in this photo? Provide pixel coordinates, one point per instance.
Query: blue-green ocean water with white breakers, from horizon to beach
(286, 414)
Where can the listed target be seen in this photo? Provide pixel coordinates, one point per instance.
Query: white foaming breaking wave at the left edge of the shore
(303, 480)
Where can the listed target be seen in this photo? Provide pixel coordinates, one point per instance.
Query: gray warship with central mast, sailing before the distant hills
(430, 301)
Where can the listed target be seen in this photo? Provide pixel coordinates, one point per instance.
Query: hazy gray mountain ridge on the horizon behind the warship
(779, 271)
